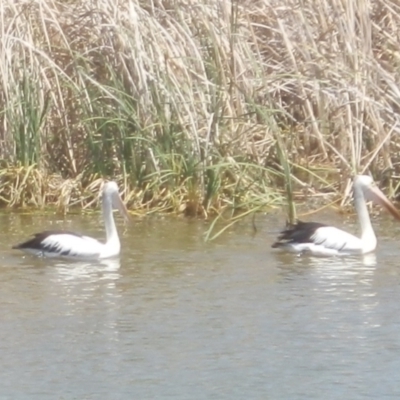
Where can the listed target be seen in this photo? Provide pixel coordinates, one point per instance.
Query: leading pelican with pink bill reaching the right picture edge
(323, 240)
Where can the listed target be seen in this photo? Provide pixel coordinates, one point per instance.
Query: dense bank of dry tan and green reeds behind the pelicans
(196, 107)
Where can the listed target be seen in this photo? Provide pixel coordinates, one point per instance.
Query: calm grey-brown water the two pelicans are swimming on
(177, 318)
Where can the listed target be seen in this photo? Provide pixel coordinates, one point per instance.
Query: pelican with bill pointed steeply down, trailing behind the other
(75, 246)
